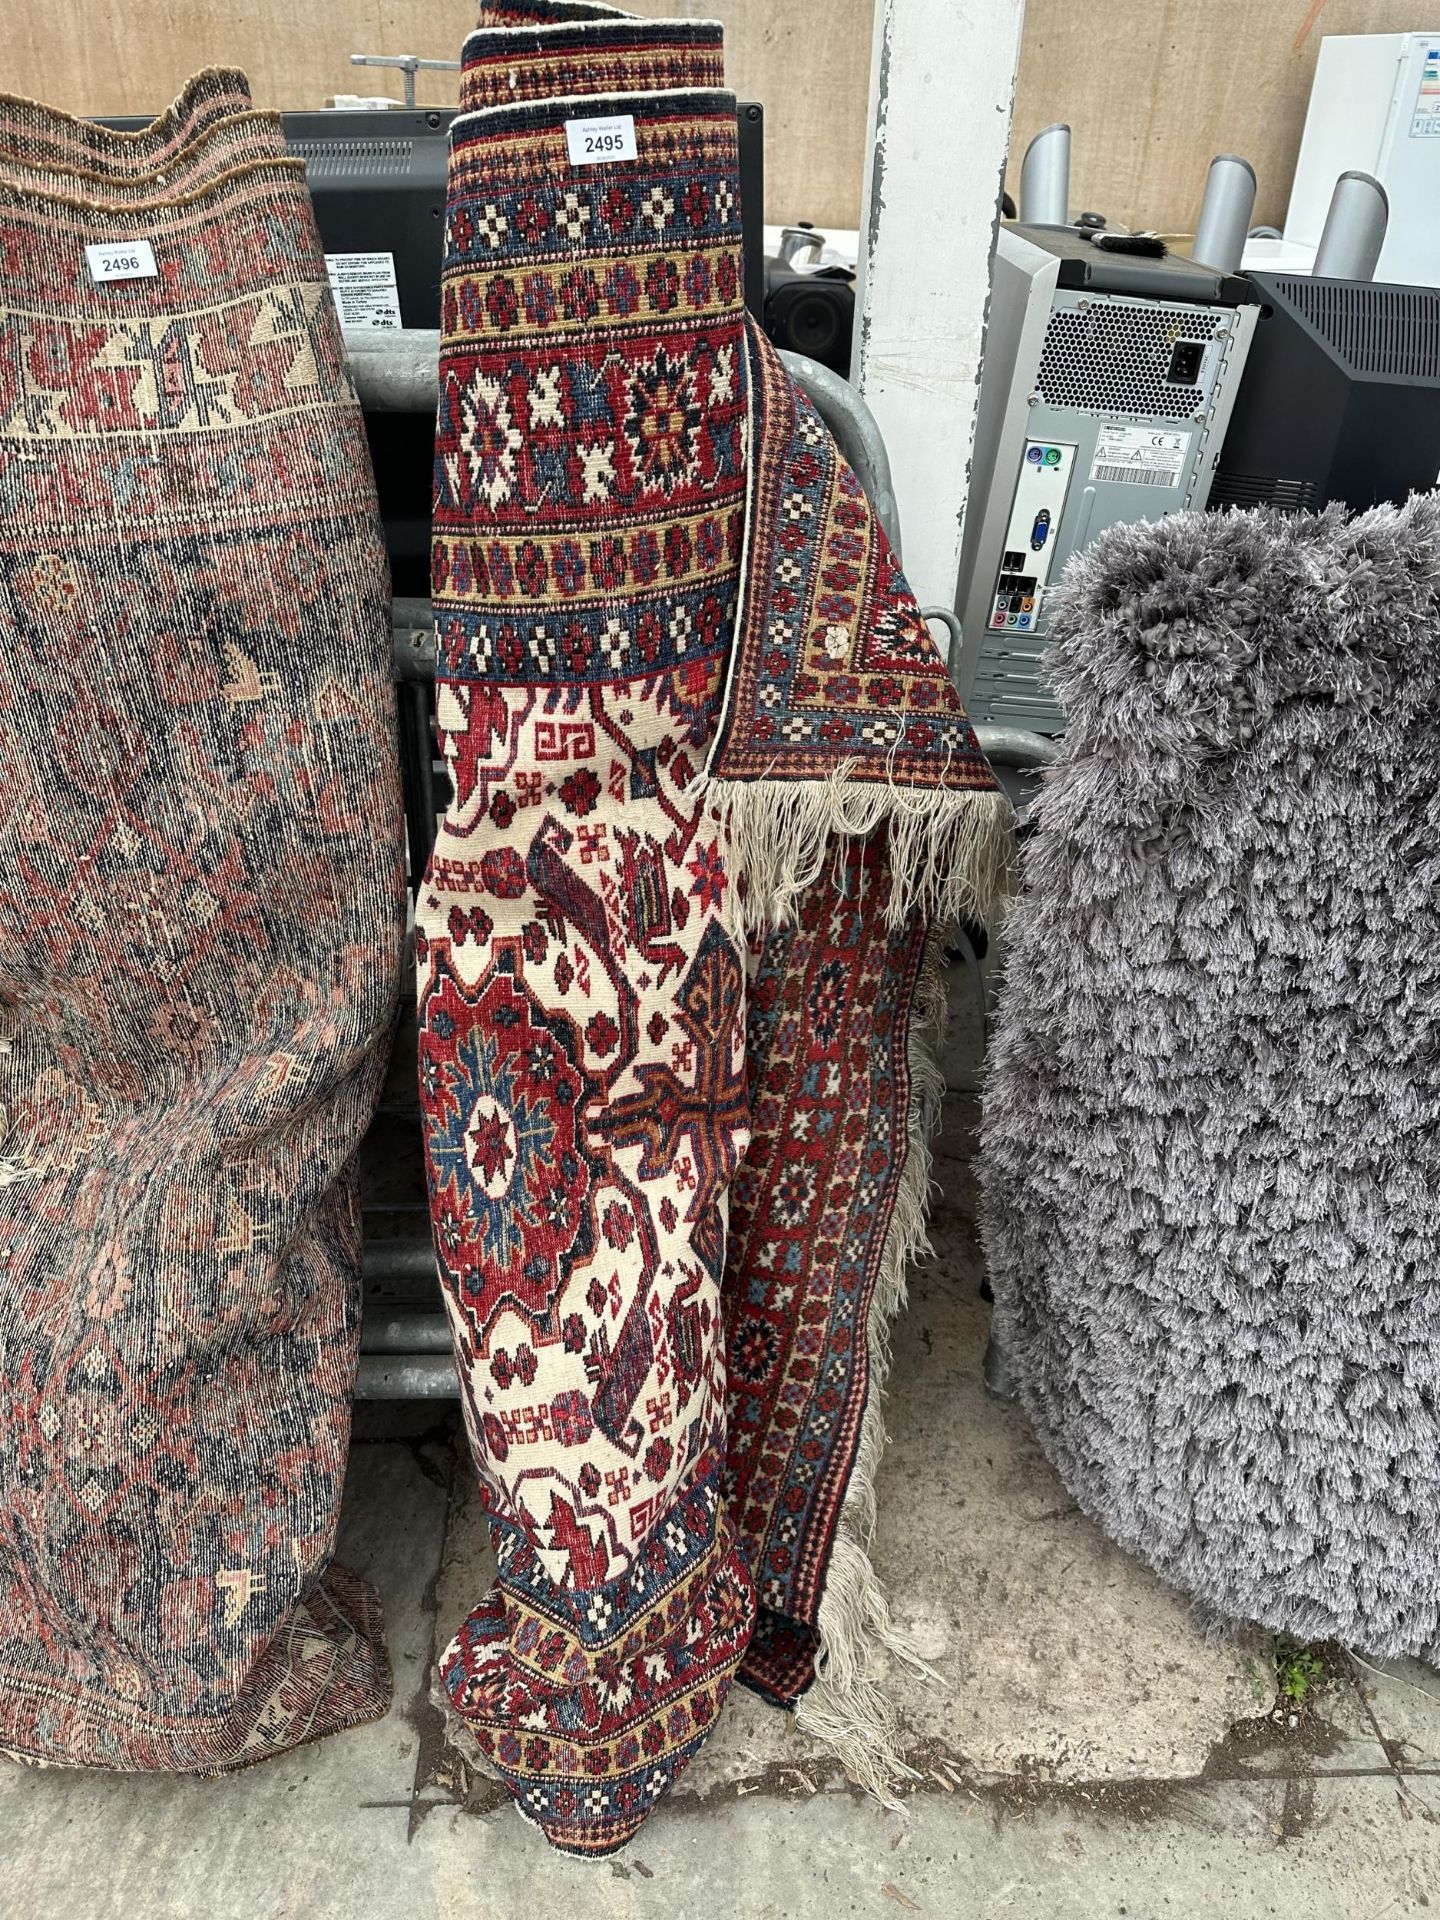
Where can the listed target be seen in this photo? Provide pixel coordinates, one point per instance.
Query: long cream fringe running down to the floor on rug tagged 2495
(846, 1710)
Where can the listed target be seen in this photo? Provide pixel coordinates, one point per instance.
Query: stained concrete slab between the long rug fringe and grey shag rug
(1059, 1656)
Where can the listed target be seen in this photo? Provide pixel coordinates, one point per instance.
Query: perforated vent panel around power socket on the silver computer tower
(1113, 358)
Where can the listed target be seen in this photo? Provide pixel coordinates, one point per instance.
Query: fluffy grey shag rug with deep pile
(1212, 1118)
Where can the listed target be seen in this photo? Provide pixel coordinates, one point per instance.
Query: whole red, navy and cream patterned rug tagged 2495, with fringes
(698, 732)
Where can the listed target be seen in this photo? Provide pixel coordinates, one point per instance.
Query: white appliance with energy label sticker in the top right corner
(1376, 108)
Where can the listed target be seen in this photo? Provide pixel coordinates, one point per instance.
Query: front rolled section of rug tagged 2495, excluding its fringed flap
(581, 997)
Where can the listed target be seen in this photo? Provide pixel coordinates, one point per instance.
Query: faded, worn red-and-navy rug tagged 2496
(201, 948)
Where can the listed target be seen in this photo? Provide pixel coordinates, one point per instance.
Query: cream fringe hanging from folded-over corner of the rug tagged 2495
(949, 852)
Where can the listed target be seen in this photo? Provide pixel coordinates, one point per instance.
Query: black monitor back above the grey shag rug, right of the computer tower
(1339, 398)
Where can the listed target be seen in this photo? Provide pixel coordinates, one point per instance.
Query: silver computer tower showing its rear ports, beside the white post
(1107, 389)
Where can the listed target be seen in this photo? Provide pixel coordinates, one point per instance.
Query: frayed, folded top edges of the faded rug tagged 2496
(39, 137)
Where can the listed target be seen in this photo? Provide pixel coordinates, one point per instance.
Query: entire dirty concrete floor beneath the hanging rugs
(1088, 1754)
